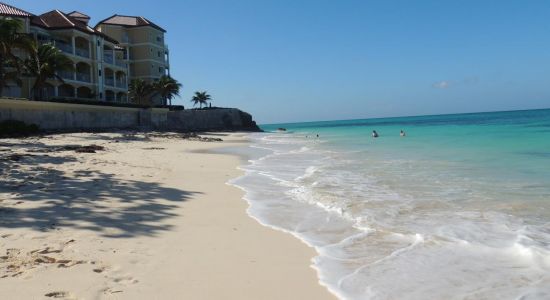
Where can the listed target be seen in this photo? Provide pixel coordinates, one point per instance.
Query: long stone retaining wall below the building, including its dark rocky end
(68, 116)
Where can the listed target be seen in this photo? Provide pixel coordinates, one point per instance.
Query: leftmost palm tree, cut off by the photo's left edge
(10, 40)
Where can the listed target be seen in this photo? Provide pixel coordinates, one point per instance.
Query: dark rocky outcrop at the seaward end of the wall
(211, 119)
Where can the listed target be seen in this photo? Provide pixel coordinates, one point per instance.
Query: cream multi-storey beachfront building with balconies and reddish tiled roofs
(106, 57)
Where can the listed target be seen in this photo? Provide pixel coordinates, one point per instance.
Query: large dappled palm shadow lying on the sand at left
(41, 198)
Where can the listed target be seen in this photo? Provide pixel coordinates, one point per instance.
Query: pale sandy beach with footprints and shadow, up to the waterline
(147, 218)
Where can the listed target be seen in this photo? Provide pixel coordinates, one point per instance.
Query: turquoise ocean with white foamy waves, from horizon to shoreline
(459, 208)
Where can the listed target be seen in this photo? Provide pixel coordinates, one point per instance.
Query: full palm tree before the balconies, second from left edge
(44, 63)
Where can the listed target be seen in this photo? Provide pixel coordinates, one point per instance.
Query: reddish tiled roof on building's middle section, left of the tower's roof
(56, 19)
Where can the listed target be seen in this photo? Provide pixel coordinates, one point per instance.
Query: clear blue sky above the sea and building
(290, 60)
